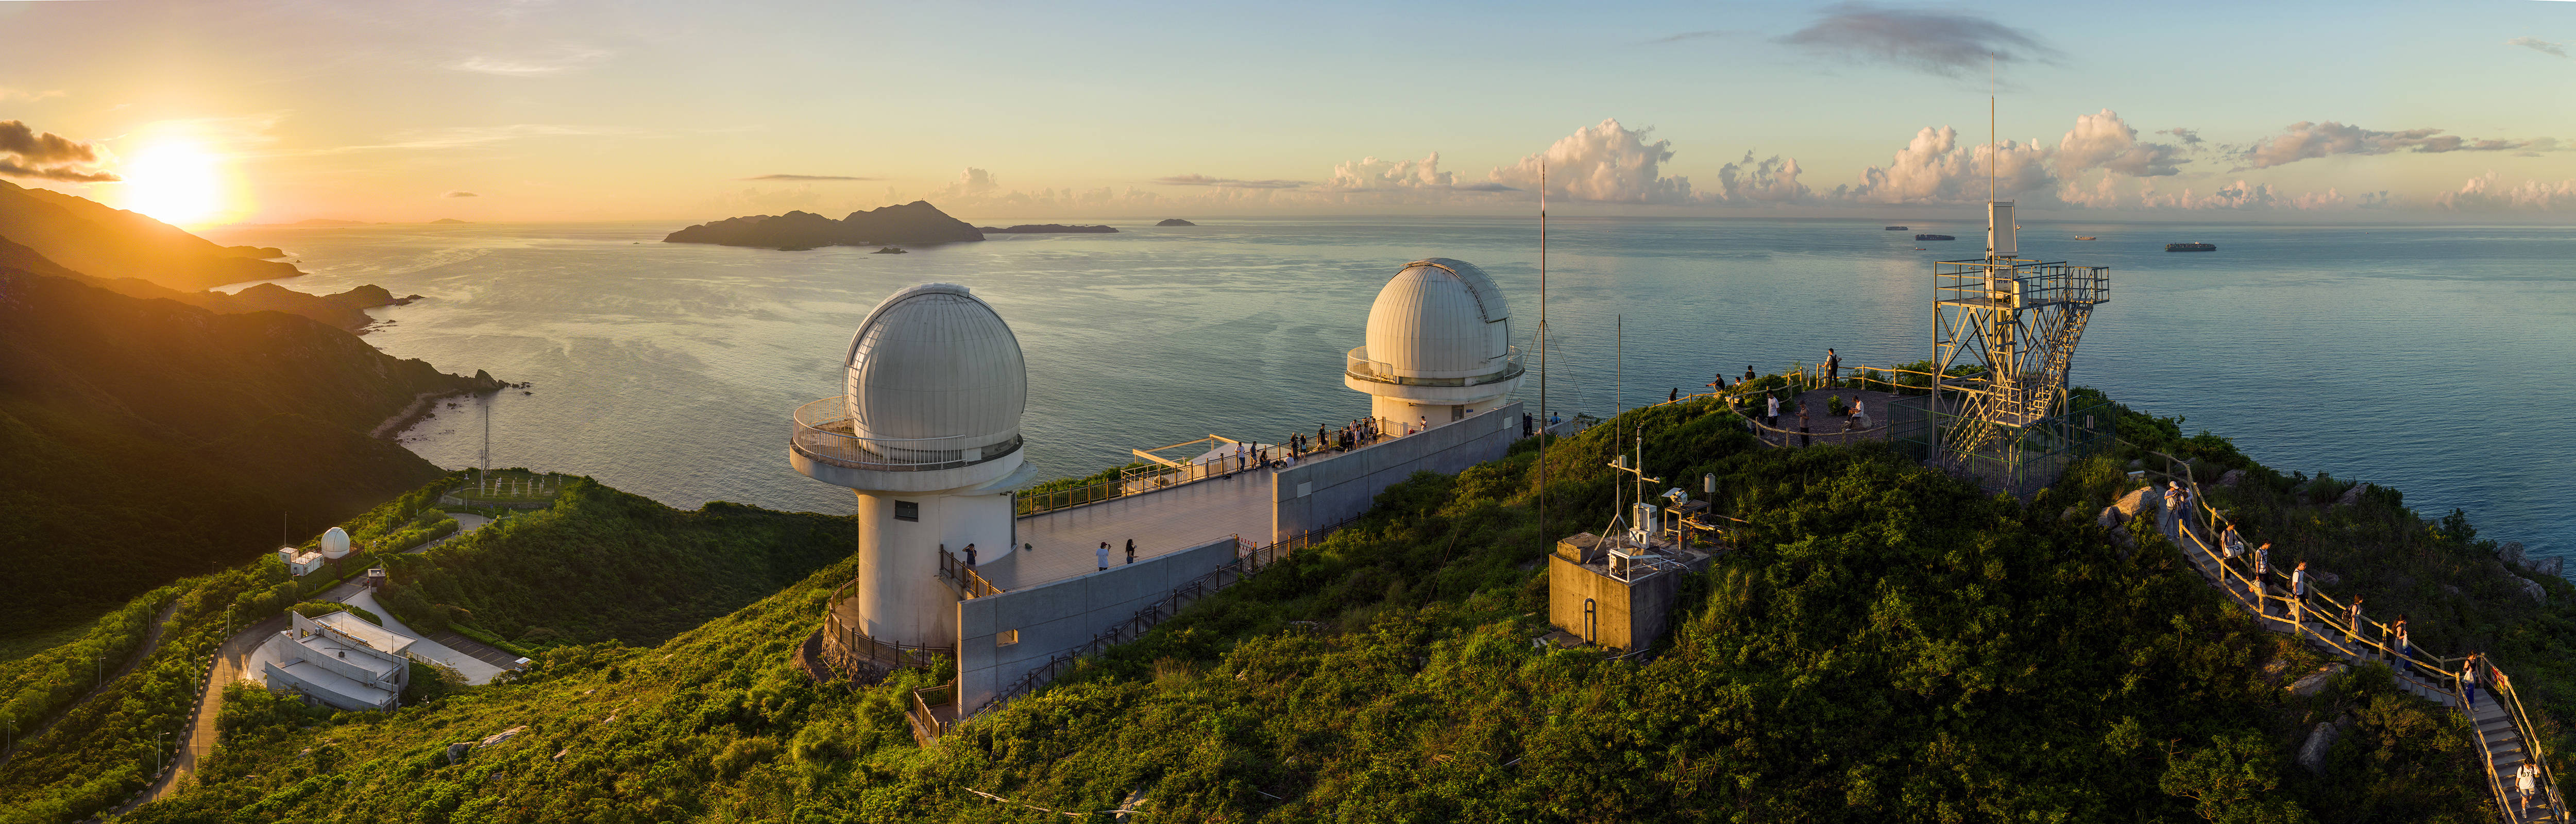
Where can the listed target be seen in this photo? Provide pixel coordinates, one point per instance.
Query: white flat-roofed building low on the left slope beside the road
(336, 660)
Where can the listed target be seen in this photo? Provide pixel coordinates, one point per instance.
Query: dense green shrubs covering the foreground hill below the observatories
(1887, 645)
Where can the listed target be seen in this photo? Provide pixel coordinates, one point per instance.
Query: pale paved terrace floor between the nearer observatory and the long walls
(1160, 521)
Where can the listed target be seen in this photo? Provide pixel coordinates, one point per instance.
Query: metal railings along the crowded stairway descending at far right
(2358, 637)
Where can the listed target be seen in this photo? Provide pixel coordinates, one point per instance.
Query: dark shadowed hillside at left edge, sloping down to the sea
(151, 442)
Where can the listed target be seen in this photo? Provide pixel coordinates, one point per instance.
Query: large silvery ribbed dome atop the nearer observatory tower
(934, 375)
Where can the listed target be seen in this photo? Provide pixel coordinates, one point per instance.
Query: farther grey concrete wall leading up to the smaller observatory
(1333, 491)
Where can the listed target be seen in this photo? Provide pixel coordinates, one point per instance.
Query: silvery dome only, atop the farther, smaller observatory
(1441, 321)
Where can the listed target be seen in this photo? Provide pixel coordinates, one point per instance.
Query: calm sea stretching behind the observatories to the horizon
(2430, 359)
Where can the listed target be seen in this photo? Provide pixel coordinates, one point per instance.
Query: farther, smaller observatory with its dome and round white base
(1439, 346)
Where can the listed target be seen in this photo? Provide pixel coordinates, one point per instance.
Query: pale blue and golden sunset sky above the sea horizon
(666, 109)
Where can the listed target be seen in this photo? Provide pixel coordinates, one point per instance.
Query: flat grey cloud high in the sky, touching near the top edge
(1936, 42)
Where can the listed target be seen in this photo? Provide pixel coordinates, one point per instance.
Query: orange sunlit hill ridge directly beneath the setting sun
(115, 243)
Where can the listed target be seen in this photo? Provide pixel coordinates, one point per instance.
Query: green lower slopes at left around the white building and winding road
(601, 565)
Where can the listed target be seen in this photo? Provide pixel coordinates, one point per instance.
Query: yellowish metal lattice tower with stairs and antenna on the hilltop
(2003, 341)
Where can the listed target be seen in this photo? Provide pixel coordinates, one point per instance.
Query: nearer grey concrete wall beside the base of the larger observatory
(1065, 614)
